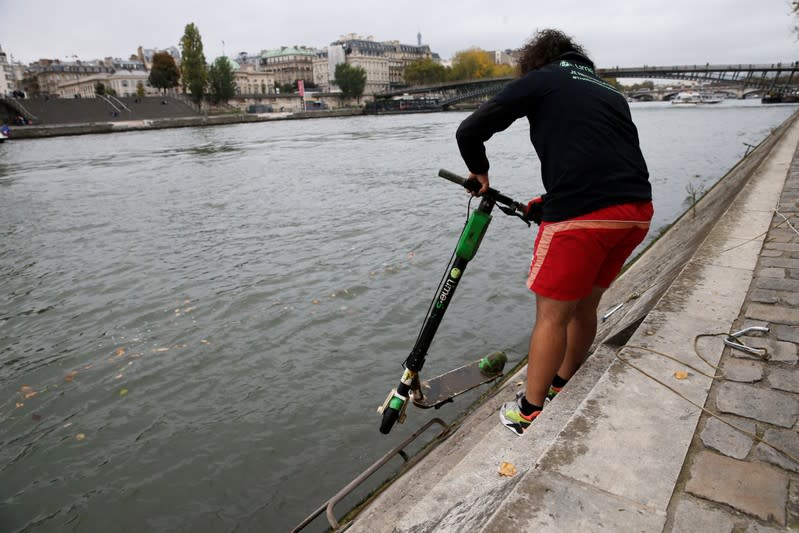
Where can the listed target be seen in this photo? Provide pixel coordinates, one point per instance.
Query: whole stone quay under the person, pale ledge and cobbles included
(626, 446)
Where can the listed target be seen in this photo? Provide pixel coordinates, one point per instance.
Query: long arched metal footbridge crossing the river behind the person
(741, 79)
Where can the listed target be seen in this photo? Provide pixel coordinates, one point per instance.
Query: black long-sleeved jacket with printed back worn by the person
(581, 129)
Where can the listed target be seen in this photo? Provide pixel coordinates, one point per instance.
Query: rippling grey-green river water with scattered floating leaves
(197, 325)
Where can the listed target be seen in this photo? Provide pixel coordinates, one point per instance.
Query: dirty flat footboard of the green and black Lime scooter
(441, 389)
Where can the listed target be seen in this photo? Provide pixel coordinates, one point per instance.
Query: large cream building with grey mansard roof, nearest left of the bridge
(384, 62)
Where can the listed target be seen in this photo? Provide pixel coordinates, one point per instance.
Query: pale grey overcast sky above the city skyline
(615, 33)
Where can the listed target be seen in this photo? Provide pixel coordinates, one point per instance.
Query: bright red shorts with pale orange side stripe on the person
(573, 256)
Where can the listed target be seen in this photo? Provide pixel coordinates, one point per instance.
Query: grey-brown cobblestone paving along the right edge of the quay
(746, 479)
